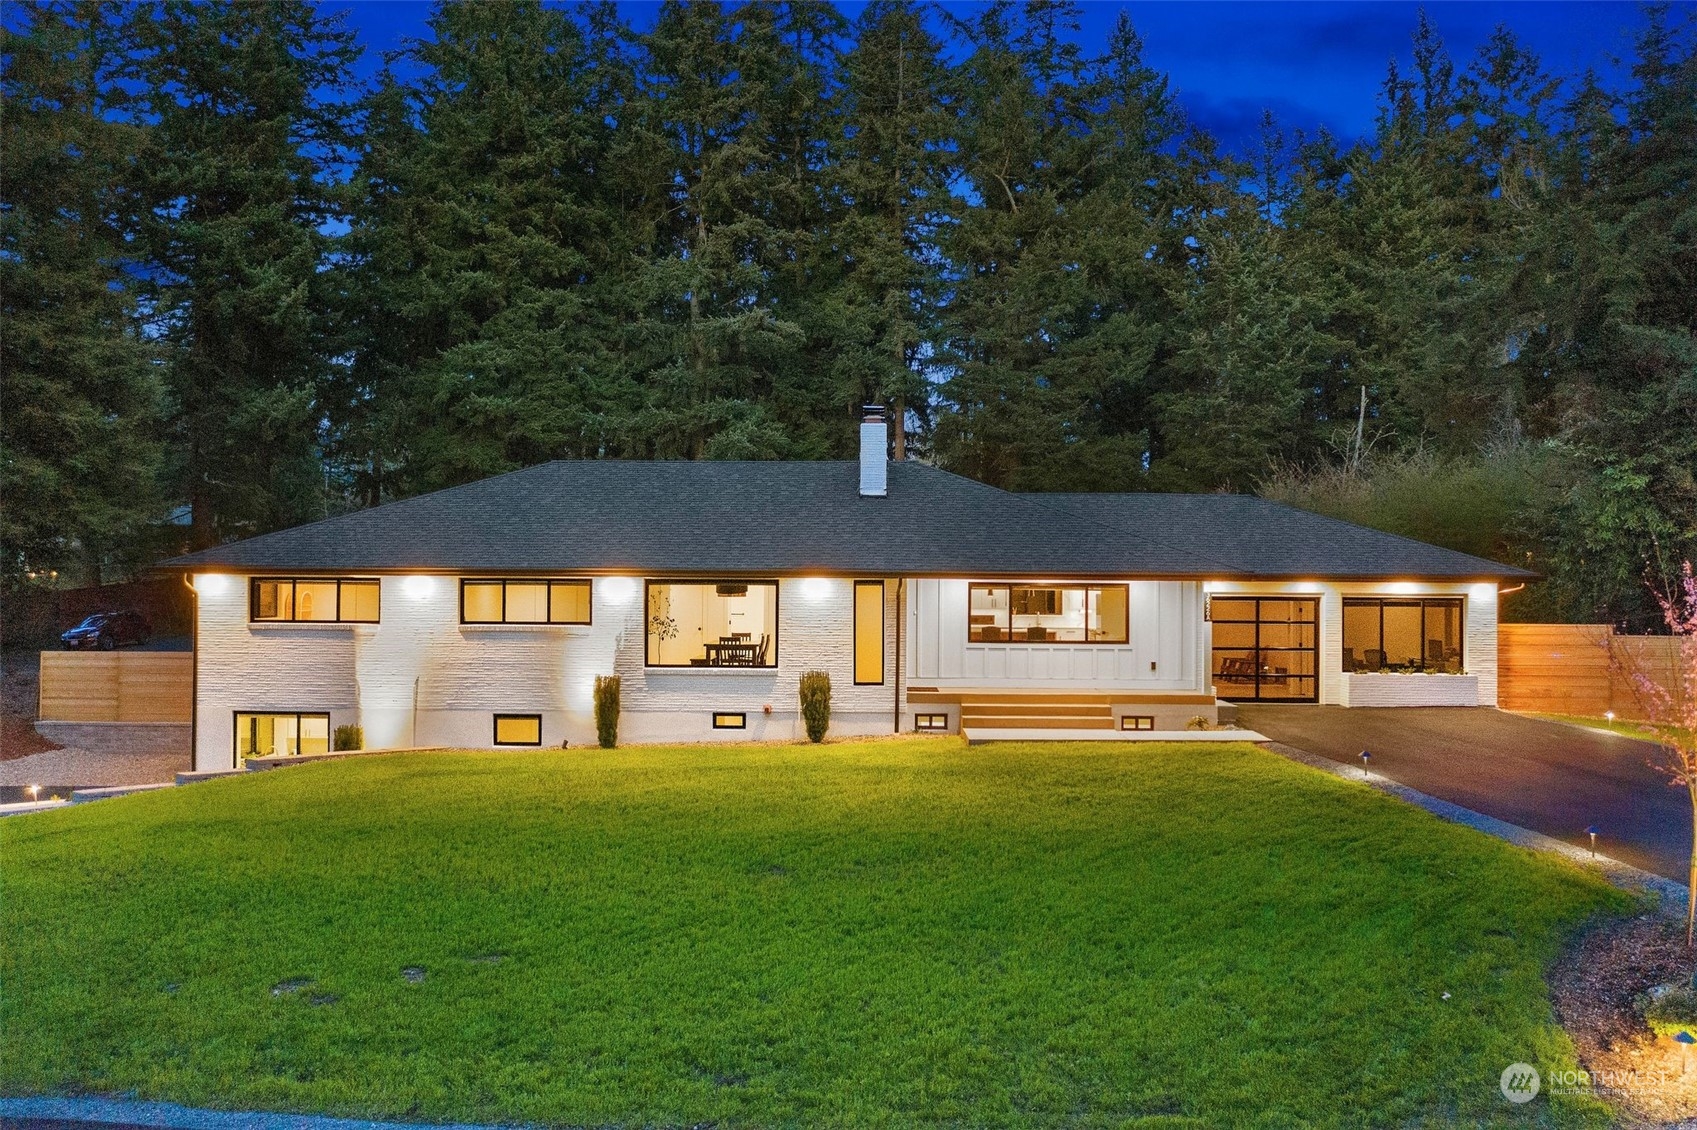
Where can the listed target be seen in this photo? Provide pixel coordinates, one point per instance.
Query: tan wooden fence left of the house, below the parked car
(116, 686)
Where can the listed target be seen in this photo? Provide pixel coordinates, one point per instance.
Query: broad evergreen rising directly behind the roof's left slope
(481, 282)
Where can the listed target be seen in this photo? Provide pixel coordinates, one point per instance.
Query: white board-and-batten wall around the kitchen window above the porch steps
(1165, 632)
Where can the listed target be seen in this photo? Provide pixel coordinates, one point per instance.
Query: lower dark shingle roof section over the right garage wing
(1275, 540)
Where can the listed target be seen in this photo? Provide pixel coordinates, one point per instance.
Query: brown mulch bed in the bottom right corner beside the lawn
(1599, 988)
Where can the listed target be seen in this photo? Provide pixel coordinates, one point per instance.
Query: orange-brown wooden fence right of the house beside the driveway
(1579, 669)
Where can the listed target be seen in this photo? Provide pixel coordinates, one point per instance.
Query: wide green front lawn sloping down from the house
(860, 934)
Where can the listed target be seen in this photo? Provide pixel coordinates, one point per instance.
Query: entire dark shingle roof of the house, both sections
(710, 518)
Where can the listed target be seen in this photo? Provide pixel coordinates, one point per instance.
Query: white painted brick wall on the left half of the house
(422, 678)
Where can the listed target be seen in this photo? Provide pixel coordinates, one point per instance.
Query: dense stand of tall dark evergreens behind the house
(245, 288)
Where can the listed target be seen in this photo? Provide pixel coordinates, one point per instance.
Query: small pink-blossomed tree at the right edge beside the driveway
(1669, 705)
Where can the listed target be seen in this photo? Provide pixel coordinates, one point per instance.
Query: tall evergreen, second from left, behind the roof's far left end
(238, 179)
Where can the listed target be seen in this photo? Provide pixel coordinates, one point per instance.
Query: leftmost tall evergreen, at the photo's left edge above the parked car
(81, 401)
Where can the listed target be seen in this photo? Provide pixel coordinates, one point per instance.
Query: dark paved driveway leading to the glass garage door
(1545, 776)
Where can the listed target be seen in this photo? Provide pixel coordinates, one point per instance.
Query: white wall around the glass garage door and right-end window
(1338, 688)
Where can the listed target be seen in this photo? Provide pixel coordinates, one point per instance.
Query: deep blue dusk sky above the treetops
(1311, 64)
